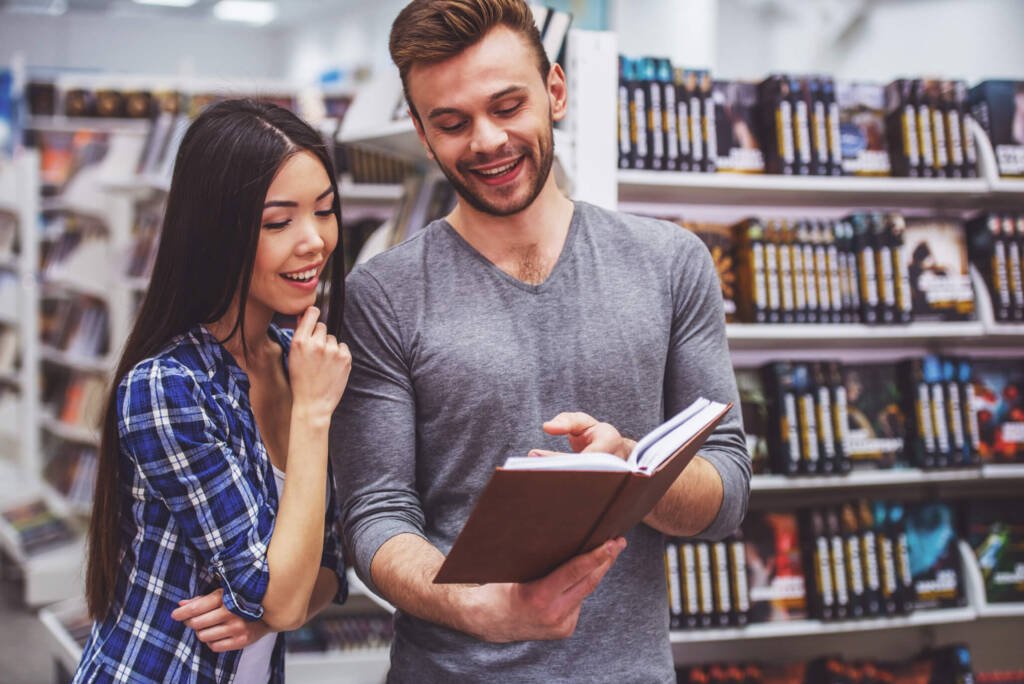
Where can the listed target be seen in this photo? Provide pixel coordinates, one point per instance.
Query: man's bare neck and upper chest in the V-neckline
(526, 245)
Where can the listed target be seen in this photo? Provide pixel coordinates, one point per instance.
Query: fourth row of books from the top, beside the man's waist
(842, 563)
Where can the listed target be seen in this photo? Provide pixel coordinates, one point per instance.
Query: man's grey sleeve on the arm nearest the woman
(373, 435)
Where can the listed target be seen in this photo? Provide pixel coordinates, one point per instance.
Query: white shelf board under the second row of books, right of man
(784, 336)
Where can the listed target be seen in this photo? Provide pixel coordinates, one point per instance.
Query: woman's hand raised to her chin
(318, 367)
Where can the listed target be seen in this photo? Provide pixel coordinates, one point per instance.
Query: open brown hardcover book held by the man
(537, 514)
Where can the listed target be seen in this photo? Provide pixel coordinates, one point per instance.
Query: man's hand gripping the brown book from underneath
(544, 610)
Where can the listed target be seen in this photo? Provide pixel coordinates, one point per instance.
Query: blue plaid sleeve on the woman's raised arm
(185, 458)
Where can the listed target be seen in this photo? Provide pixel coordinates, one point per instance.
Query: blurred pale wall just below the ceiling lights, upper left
(138, 46)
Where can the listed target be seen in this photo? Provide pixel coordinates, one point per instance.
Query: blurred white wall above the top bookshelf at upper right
(857, 39)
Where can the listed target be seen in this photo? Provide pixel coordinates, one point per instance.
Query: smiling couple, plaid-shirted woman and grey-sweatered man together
(521, 320)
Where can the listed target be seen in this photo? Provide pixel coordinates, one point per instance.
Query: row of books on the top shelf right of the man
(677, 119)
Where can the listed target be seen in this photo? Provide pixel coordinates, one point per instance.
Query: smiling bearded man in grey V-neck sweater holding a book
(467, 337)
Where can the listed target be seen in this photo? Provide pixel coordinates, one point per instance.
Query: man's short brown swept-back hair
(429, 32)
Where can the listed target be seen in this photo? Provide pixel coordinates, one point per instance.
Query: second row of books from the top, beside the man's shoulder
(872, 268)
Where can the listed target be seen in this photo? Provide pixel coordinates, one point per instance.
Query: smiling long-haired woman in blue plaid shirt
(200, 549)
